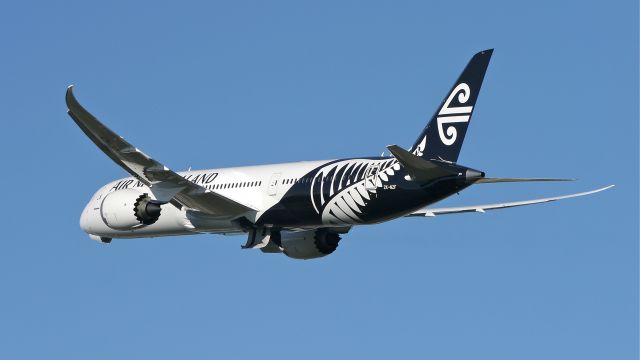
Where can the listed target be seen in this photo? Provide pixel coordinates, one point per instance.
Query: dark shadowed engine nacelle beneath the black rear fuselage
(308, 244)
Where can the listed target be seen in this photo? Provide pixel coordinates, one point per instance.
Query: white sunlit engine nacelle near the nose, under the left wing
(129, 209)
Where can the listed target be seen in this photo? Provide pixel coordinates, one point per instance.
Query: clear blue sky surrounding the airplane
(217, 84)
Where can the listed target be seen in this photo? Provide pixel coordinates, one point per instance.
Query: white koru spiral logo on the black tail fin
(449, 115)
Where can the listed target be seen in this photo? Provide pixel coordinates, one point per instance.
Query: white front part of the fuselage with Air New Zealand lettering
(258, 187)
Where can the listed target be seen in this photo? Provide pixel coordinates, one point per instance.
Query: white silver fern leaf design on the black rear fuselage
(342, 190)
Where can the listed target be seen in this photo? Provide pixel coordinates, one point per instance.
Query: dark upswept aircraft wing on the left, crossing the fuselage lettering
(166, 185)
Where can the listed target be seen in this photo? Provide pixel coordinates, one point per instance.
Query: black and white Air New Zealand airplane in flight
(299, 209)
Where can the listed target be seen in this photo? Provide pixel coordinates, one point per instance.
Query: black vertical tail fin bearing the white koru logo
(442, 138)
